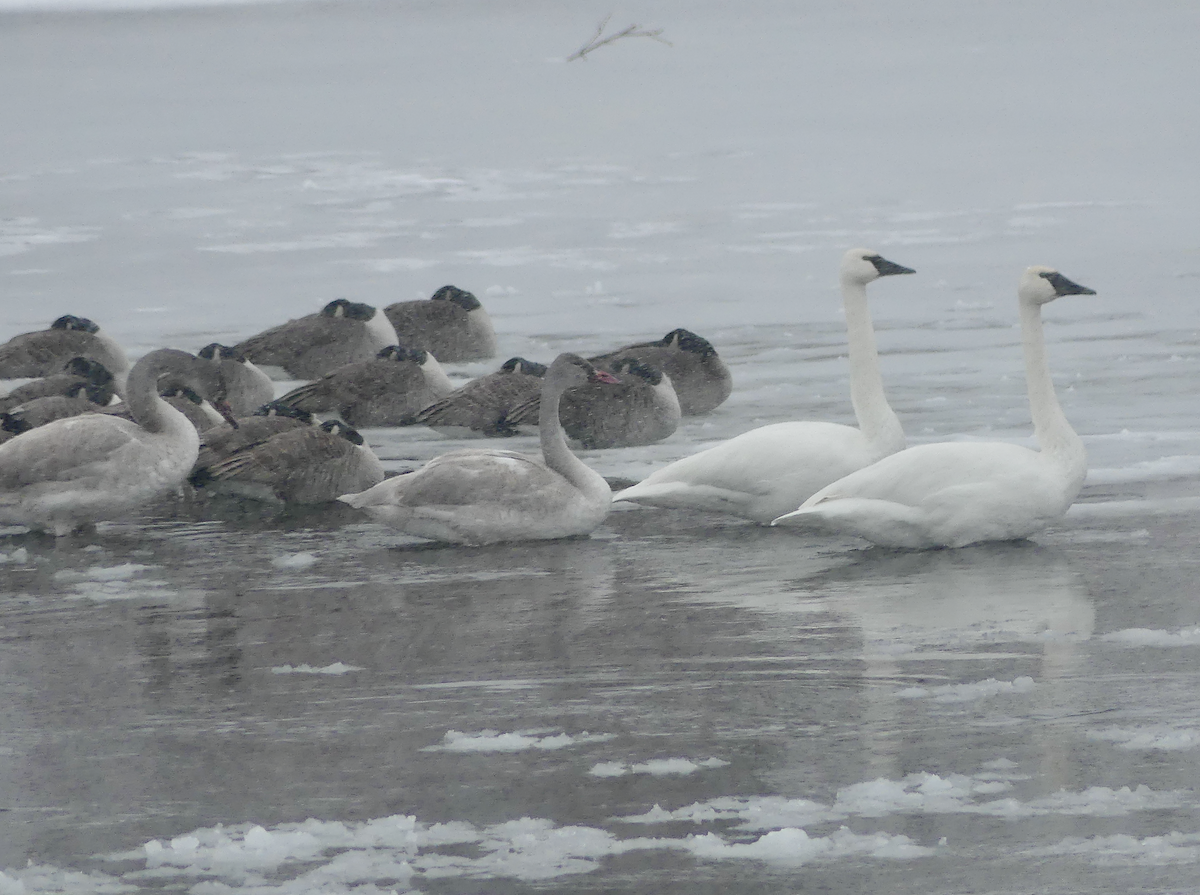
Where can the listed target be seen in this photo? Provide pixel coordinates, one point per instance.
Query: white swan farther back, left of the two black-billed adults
(770, 471)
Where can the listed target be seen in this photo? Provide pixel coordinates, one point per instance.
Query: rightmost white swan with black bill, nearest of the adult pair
(958, 494)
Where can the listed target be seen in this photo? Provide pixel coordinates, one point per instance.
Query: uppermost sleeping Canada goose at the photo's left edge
(46, 352)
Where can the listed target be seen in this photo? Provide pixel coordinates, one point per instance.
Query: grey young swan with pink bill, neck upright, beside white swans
(490, 496)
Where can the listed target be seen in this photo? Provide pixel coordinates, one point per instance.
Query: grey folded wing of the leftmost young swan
(63, 450)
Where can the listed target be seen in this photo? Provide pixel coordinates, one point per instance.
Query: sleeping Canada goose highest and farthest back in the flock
(452, 325)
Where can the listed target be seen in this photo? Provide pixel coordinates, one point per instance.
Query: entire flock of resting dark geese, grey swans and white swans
(73, 454)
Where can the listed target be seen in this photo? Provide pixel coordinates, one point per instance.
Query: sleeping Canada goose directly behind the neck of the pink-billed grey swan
(643, 409)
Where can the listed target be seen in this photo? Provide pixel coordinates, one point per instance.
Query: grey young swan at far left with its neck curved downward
(82, 470)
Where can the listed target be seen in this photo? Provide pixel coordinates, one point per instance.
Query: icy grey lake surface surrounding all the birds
(219, 699)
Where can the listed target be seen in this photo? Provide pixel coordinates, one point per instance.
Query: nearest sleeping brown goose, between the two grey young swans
(311, 465)
